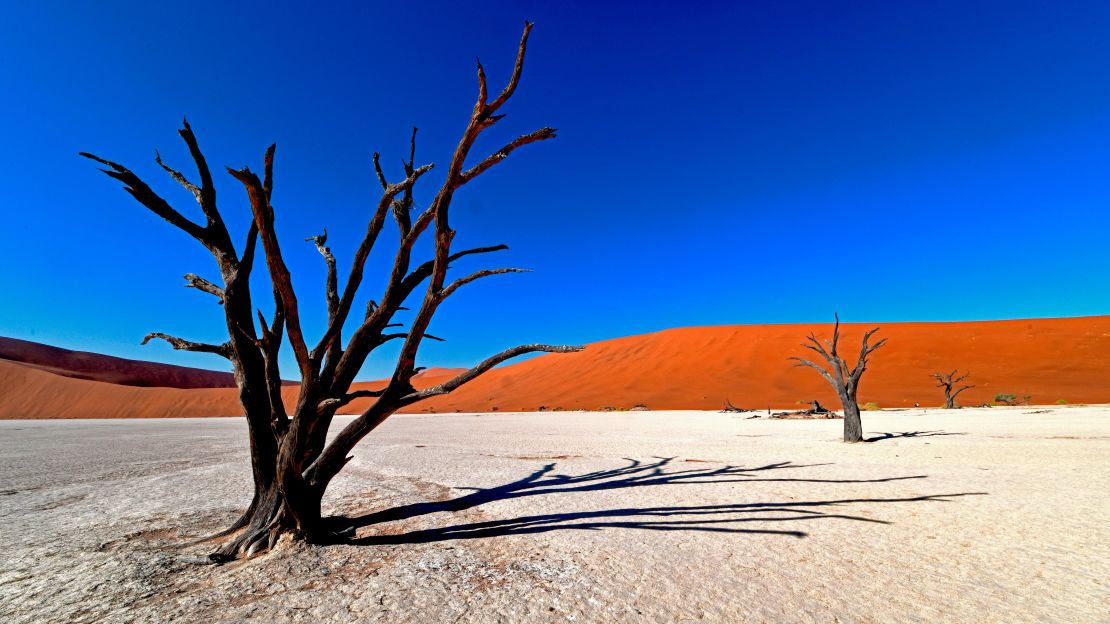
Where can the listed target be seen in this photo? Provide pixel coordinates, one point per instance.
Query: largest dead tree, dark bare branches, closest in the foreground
(292, 461)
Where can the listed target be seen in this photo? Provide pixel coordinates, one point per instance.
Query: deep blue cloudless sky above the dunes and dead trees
(726, 164)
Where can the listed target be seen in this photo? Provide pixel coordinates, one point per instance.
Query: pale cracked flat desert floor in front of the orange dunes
(976, 516)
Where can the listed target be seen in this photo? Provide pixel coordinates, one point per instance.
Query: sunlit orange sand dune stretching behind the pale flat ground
(690, 368)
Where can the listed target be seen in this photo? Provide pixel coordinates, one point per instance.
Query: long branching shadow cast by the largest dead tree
(719, 519)
